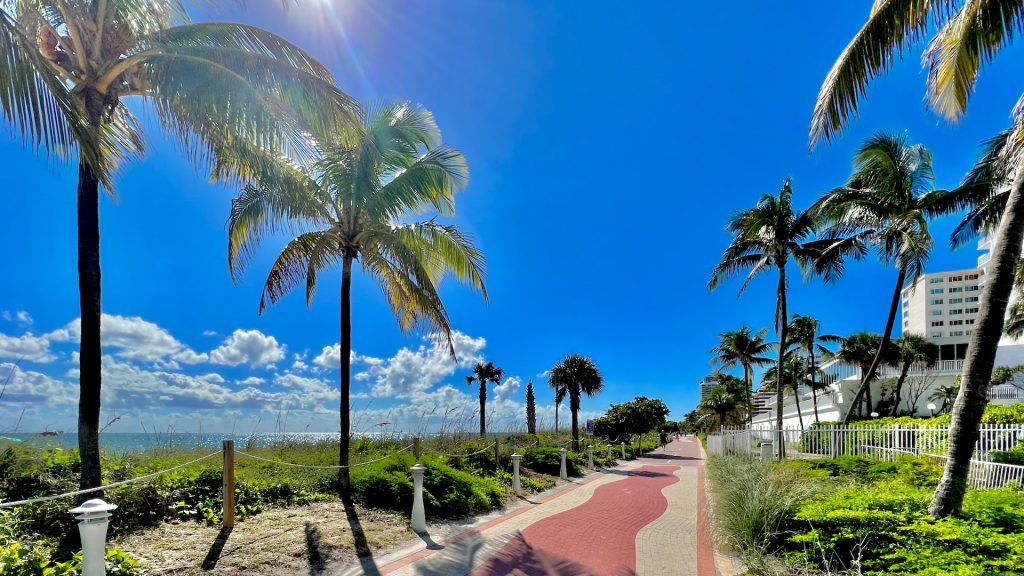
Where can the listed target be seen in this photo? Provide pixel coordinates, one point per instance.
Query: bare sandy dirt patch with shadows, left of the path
(313, 540)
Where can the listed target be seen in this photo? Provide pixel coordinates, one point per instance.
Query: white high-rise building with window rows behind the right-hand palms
(944, 308)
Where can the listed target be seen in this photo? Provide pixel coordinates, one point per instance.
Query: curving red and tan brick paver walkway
(645, 518)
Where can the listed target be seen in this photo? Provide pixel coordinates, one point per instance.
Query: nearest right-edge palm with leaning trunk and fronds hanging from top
(966, 36)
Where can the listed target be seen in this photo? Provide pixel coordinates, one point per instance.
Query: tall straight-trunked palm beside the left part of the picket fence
(769, 236)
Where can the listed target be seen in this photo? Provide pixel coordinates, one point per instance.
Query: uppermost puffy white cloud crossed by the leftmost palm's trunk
(135, 339)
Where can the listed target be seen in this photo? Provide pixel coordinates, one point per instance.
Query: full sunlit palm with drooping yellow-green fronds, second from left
(351, 207)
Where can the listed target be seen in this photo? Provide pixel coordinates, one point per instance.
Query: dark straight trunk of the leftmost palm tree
(91, 355)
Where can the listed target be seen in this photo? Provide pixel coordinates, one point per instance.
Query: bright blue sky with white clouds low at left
(608, 148)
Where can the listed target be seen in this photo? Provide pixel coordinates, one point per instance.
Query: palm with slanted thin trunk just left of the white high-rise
(888, 200)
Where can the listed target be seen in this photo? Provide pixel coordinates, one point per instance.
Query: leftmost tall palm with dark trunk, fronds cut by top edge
(234, 96)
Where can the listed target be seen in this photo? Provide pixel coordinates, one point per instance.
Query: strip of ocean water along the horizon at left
(135, 442)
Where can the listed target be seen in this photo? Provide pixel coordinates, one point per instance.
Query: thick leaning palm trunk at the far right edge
(973, 394)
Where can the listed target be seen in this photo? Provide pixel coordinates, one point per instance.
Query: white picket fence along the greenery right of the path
(880, 443)
